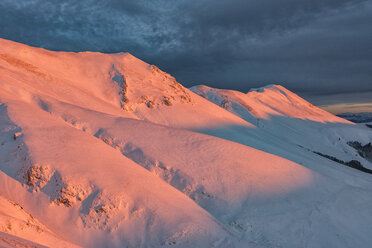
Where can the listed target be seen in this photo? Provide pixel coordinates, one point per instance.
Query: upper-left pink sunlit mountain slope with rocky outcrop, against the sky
(112, 82)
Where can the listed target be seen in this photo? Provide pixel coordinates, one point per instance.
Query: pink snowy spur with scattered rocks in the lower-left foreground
(105, 190)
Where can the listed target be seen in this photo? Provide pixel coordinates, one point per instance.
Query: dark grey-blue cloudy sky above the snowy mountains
(320, 49)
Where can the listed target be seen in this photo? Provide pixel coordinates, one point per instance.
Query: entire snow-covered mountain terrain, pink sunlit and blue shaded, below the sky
(101, 150)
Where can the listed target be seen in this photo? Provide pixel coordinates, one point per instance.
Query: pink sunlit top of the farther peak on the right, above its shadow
(264, 102)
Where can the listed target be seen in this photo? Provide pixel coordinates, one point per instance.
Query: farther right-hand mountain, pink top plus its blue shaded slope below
(288, 121)
